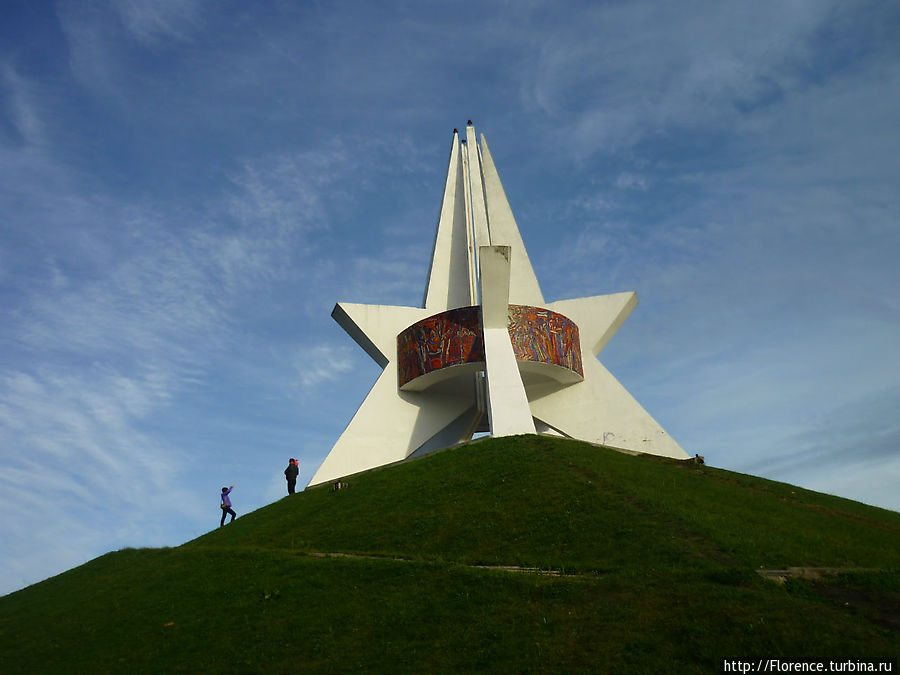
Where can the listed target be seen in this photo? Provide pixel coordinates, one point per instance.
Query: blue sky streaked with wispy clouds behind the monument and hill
(186, 189)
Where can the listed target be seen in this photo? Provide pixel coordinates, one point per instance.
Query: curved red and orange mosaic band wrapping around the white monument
(454, 338)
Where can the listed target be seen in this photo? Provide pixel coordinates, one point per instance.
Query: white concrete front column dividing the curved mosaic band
(507, 404)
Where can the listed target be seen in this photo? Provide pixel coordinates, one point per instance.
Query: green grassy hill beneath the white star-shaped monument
(649, 565)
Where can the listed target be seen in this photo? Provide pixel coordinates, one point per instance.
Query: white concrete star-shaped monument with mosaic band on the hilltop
(486, 352)
